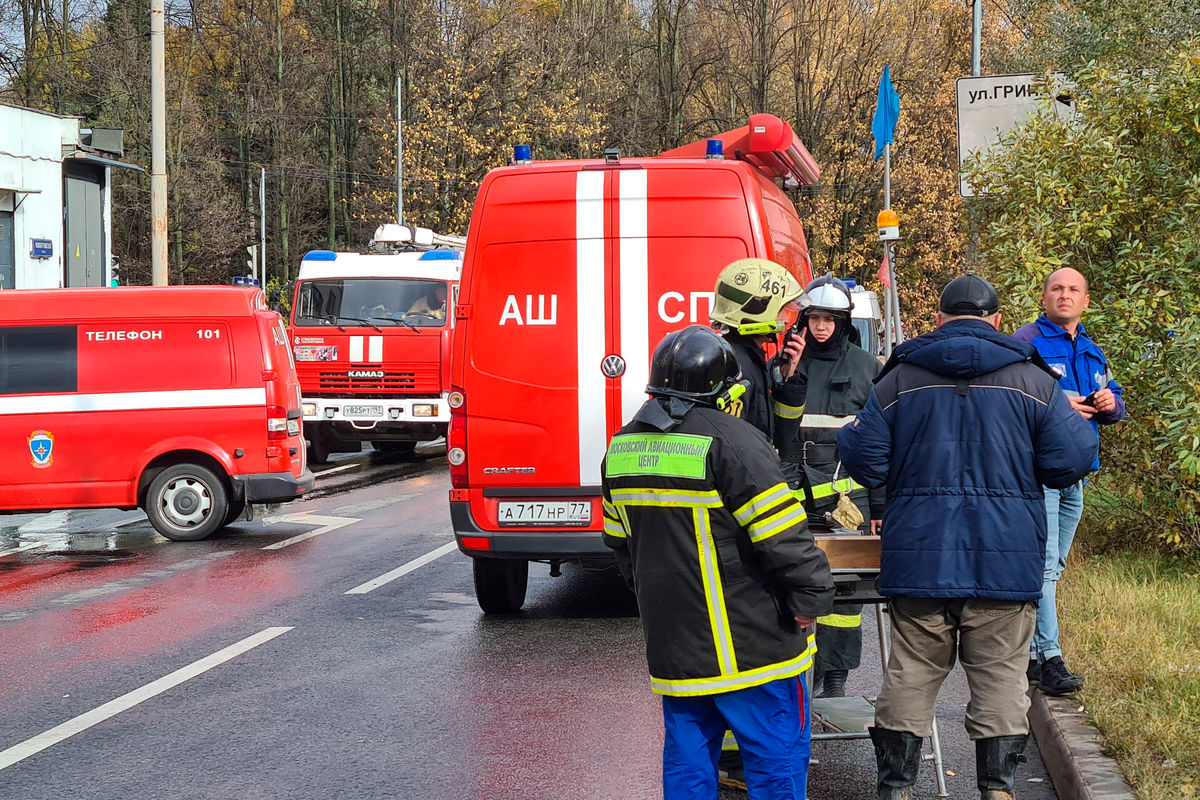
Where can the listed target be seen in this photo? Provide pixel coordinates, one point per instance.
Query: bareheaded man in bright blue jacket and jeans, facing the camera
(1085, 377)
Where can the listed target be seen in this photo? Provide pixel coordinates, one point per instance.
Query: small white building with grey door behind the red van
(56, 209)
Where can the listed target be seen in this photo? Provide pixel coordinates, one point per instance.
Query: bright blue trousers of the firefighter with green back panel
(771, 724)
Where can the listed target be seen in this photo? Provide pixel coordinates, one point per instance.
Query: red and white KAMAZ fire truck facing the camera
(371, 339)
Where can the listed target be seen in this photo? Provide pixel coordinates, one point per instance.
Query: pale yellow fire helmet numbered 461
(752, 294)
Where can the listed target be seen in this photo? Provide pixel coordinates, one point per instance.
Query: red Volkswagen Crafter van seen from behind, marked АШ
(574, 270)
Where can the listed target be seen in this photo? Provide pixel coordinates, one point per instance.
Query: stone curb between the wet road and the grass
(1071, 750)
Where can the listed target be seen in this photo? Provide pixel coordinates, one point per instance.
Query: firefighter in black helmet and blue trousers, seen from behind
(713, 543)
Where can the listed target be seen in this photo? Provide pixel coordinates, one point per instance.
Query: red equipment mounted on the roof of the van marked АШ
(769, 143)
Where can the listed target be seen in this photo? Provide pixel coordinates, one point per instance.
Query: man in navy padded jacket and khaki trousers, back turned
(964, 428)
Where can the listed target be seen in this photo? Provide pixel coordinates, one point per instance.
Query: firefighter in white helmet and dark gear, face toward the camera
(839, 376)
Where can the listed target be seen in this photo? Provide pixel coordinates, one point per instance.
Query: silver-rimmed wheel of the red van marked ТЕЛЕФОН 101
(188, 503)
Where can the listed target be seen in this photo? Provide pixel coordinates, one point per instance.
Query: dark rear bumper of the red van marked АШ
(527, 545)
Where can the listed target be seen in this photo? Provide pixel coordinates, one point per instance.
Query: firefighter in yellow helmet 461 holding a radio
(755, 300)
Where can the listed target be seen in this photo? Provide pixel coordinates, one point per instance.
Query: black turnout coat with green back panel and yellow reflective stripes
(717, 550)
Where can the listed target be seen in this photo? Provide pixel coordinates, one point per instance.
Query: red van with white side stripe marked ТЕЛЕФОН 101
(182, 401)
